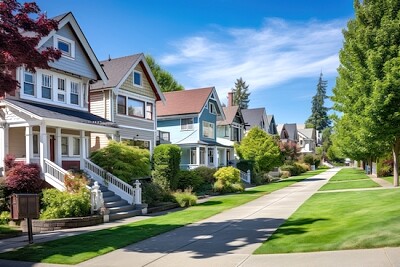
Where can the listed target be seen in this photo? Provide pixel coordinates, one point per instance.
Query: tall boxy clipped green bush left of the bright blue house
(166, 160)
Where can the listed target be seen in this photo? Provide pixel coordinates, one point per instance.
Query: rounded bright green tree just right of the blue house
(260, 147)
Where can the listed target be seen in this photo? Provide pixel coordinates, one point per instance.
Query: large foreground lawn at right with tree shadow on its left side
(341, 220)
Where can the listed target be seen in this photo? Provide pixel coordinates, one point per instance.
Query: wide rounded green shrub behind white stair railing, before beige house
(126, 162)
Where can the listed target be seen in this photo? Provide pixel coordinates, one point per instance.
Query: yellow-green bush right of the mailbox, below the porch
(57, 204)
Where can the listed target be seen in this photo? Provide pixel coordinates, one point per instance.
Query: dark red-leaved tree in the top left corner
(18, 48)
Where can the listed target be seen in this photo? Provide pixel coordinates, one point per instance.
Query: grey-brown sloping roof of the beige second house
(116, 70)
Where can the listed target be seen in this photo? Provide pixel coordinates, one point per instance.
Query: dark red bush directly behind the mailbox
(24, 178)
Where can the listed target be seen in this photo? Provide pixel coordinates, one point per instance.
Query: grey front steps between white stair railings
(118, 208)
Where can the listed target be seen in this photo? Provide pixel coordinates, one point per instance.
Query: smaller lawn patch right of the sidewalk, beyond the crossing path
(349, 178)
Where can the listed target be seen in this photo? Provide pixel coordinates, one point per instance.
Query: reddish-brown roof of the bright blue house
(184, 102)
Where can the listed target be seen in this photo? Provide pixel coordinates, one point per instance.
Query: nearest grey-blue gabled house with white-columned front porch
(47, 120)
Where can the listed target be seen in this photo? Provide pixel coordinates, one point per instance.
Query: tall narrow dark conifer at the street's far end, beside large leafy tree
(319, 113)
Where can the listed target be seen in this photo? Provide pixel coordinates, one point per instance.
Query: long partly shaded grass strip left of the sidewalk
(76, 249)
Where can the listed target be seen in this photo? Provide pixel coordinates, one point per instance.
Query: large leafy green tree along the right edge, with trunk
(367, 88)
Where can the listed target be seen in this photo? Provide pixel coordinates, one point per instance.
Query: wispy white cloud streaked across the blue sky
(277, 52)
